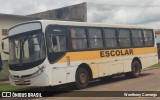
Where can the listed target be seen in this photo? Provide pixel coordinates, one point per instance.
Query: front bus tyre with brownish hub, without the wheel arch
(82, 78)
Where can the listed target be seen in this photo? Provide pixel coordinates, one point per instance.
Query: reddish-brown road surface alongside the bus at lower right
(149, 81)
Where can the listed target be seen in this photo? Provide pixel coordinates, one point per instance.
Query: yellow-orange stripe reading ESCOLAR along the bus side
(91, 55)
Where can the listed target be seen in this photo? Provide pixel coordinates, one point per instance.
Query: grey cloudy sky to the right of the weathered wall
(125, 11)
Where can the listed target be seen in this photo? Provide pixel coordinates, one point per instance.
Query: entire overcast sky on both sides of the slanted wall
(134, 12)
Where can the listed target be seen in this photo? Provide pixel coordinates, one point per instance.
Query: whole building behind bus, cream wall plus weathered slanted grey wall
(76, 12)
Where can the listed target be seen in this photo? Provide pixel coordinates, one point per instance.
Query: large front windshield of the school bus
(26, 47)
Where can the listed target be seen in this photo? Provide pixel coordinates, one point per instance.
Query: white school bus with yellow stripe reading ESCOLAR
(51, 53)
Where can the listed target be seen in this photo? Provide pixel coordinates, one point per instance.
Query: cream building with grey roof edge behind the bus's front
(7, 21)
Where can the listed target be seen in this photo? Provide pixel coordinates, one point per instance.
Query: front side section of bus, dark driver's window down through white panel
(56, 44)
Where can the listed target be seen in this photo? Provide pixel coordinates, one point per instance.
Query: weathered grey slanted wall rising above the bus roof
(76, 12)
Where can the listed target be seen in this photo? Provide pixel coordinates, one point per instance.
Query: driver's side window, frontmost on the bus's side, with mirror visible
(56, 39)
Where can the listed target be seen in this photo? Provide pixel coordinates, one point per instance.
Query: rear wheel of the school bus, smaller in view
(136, 70)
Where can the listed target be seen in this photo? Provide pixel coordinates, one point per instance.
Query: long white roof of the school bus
(89, 24)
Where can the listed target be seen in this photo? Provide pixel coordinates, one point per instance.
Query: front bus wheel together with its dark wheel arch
(83, 75)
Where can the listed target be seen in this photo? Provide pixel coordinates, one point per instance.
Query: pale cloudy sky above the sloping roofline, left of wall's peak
(25, 7)
